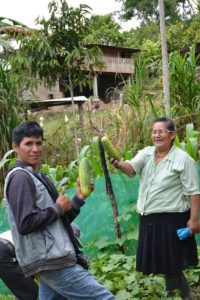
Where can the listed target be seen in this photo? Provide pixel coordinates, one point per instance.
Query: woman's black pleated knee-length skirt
(159, 249)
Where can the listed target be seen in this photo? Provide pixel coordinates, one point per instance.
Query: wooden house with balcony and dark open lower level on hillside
(107, 83)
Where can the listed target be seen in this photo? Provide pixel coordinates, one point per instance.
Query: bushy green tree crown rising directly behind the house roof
(105, 30)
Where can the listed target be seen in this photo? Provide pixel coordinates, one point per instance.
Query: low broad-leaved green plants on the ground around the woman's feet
(117, 272)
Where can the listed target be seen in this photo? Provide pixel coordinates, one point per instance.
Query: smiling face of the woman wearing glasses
(161, 136)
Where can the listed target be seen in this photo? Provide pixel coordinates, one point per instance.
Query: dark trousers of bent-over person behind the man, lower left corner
(23, 288)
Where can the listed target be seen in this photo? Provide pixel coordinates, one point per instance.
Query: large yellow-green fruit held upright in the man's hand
(85, 176)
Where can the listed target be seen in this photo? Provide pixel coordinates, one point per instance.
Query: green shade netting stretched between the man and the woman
(96, 217)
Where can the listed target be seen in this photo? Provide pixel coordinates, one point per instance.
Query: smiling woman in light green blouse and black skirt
(169, 199)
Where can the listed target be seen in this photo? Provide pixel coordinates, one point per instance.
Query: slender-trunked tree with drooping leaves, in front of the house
(57, 52)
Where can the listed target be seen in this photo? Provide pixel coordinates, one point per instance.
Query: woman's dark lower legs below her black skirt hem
(178, 282)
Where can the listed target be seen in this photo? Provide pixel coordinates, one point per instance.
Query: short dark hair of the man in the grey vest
(26, 129)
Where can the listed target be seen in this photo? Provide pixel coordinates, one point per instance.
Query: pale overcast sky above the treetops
(27, 11)
